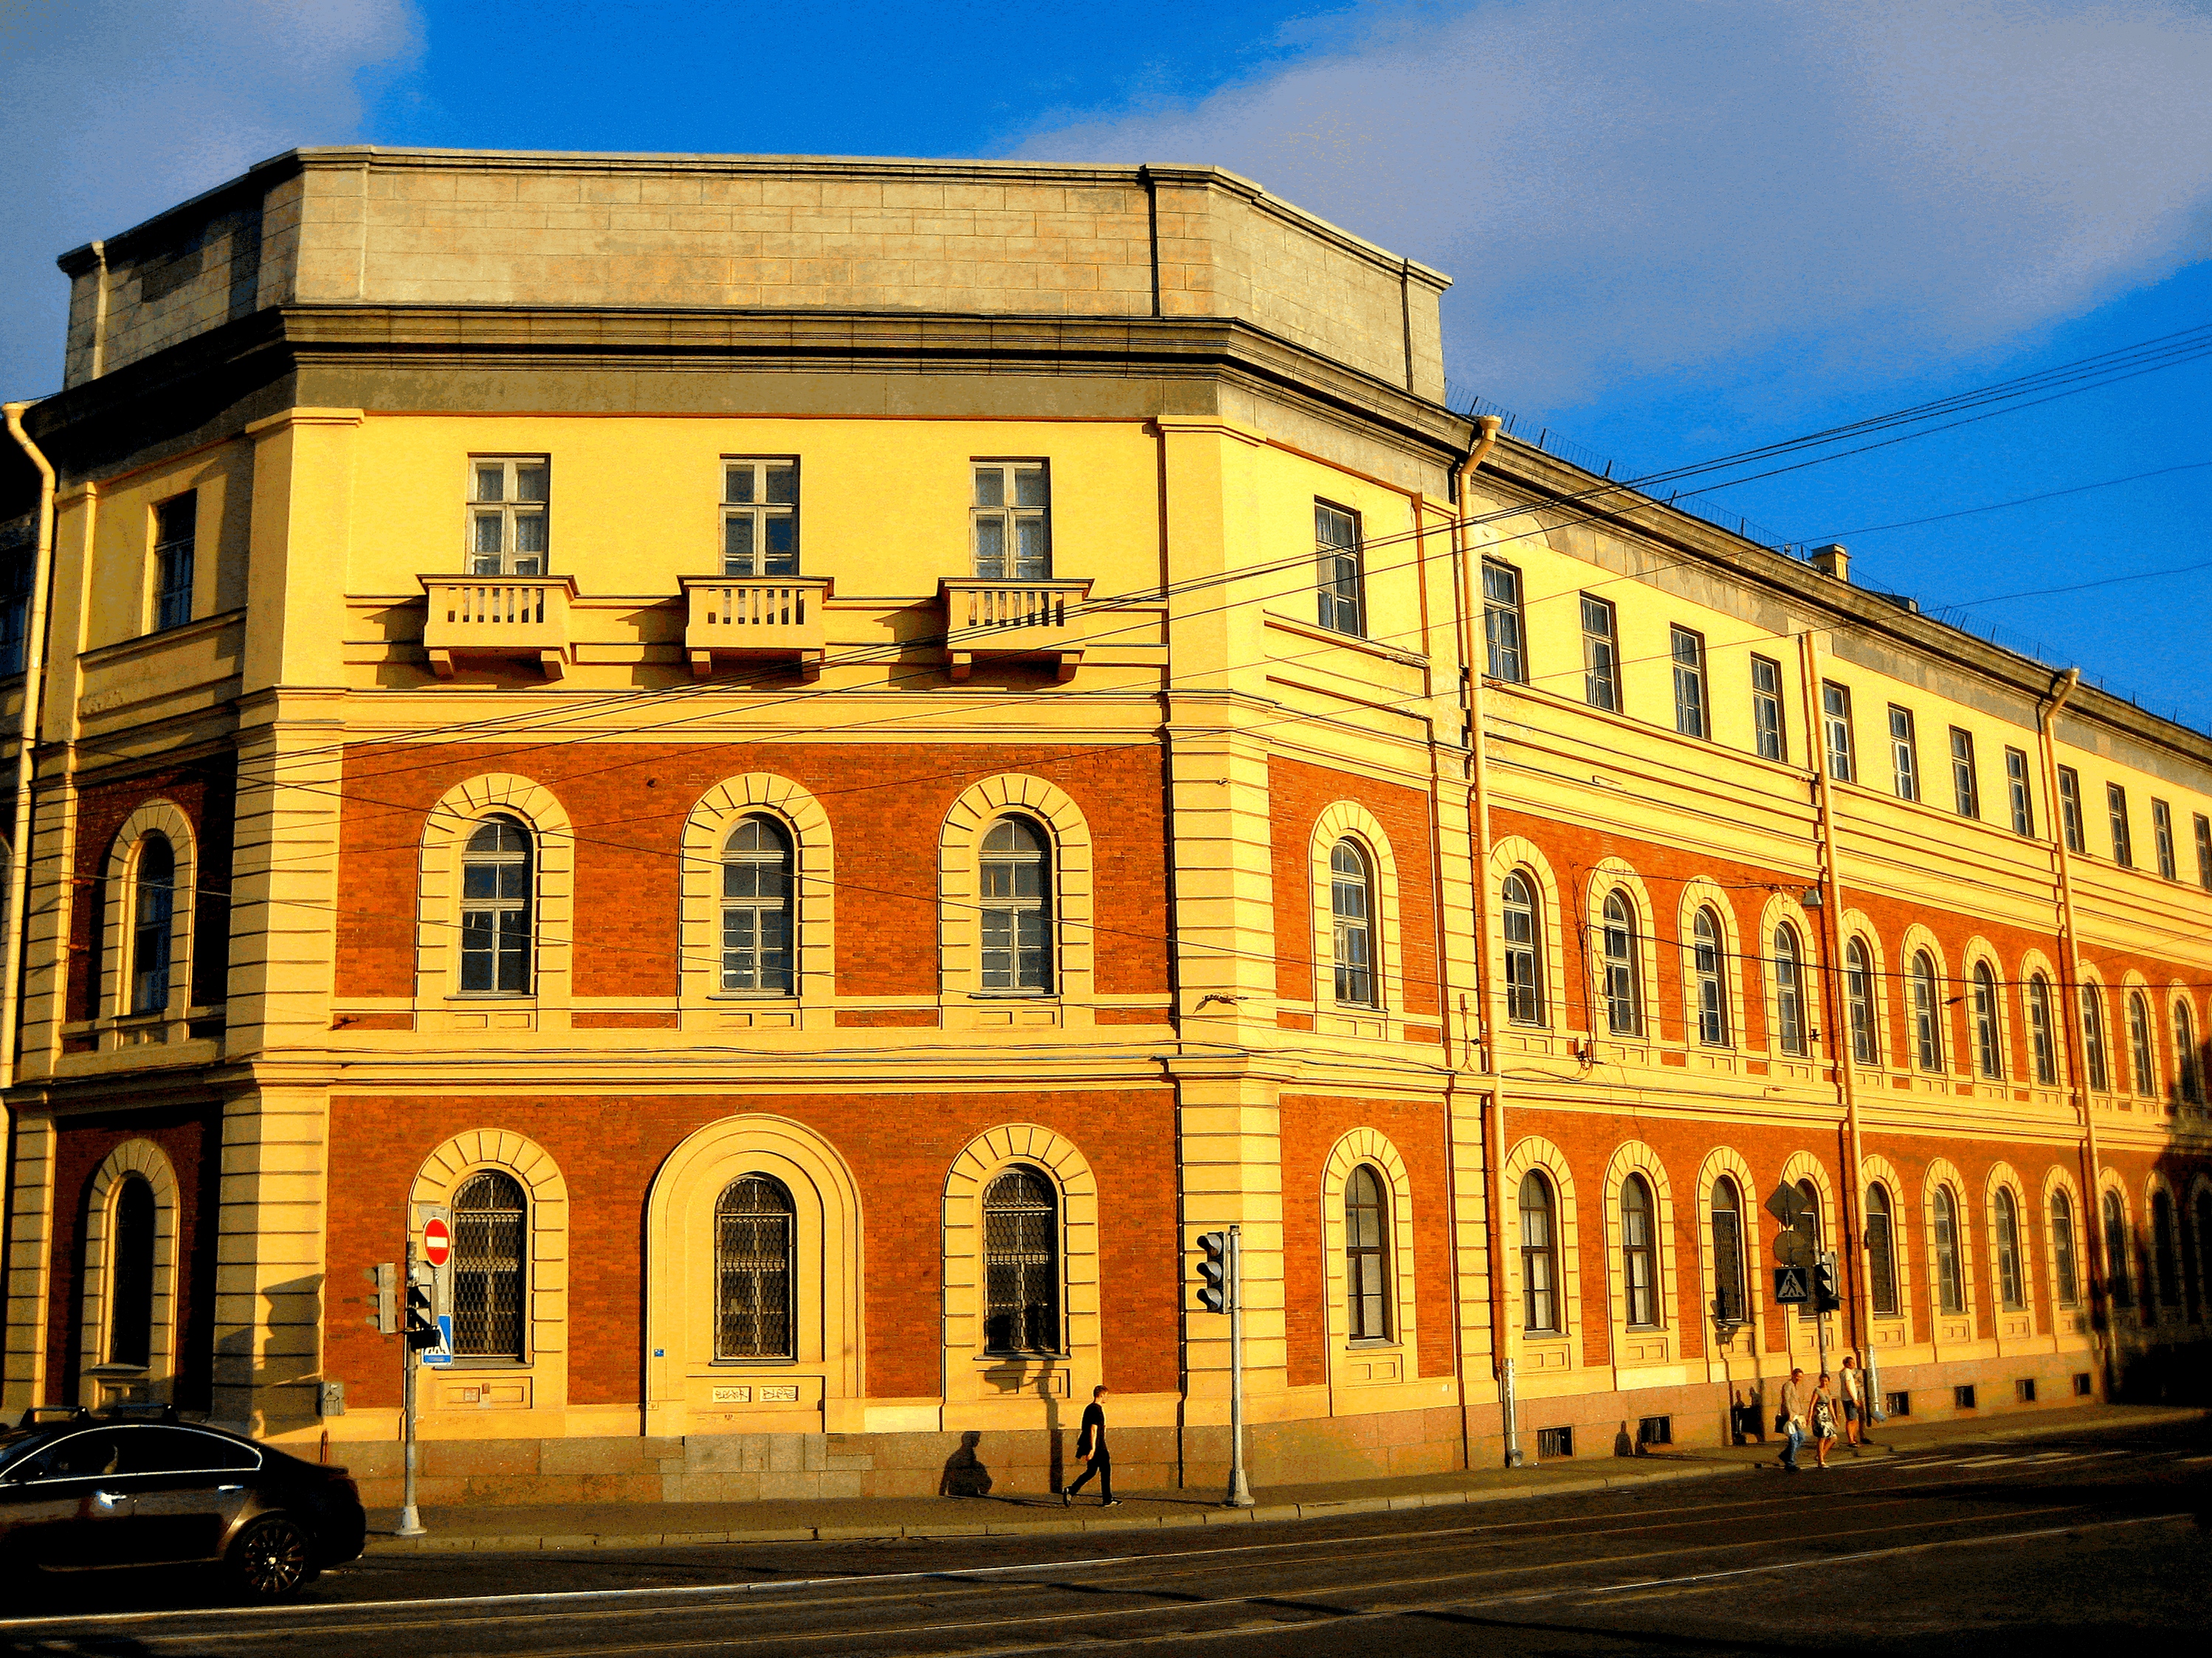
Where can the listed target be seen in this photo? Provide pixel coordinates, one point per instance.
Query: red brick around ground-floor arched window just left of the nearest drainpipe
(1311, 1133)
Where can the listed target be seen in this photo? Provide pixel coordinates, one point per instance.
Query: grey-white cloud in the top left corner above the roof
(118, 109)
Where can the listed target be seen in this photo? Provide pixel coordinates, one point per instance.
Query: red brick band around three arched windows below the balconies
(629, 804)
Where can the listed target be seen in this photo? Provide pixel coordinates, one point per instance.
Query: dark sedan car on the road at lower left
(90, 1493)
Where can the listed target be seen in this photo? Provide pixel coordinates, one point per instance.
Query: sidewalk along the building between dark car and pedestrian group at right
(627, 1526)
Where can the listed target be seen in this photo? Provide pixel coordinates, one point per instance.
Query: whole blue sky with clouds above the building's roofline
(1678, 229)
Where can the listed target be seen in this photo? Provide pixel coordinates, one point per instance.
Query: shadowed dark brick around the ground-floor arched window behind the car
(194, 1144)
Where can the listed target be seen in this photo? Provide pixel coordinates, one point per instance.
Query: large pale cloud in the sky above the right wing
(1680, 185)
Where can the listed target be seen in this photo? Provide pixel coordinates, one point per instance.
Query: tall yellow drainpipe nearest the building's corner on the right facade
(1479, 810)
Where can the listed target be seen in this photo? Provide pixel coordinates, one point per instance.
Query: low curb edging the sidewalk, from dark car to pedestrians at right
(1262, 1515)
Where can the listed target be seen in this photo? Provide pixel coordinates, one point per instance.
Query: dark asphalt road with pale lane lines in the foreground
(2021, 1546)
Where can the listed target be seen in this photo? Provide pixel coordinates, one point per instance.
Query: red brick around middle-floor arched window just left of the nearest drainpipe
(1297, 797)
